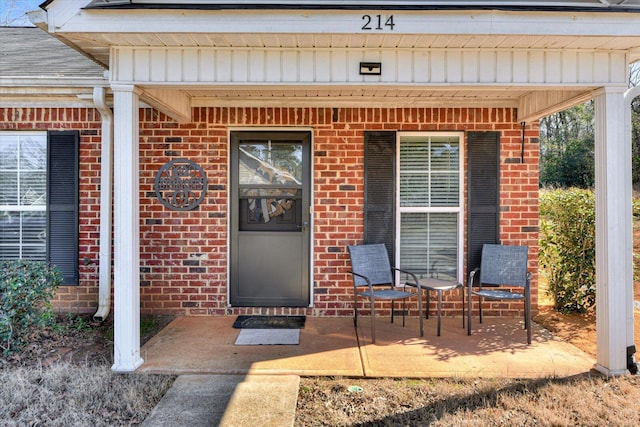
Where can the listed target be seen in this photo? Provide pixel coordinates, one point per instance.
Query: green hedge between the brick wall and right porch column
(567, 247)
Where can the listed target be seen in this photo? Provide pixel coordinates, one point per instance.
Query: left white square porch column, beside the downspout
(126, 230)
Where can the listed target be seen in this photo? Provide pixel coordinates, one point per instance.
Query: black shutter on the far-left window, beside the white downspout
(62, 203)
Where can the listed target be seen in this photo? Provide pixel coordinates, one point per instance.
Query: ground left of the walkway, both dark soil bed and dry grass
(63, 378)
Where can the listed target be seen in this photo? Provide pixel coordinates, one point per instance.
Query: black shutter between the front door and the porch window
(379, 189)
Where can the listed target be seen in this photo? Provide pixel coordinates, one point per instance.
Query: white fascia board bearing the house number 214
(484, 22)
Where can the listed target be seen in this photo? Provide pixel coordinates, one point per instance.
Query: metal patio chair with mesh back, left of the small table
(373, 279)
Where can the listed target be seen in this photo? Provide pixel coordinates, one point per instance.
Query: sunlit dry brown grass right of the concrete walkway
(585, 400)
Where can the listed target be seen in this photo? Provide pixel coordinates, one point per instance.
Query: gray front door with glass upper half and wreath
(270, 233)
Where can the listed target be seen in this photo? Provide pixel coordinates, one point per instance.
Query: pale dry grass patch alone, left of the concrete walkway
(66, 394)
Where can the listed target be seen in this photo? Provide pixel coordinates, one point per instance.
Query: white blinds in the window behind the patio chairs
(429, 204)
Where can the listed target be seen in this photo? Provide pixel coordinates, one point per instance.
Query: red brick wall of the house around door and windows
(184, 254)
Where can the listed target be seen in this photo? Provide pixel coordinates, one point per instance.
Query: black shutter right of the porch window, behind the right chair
(484, 193)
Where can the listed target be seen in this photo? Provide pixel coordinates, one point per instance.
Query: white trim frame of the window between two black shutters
(459, 209)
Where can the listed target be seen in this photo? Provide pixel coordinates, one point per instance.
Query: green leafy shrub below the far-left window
(26, 290)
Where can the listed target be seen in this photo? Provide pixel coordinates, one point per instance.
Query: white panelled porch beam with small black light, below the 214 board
(454, 69)
